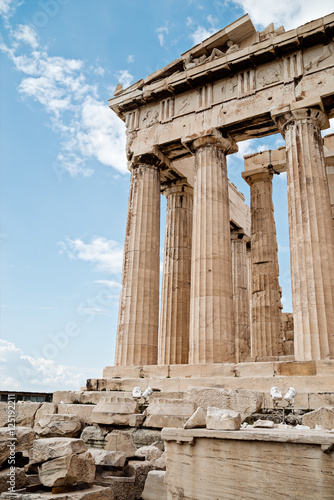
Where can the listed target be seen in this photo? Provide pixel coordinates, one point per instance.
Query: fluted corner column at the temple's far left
(137, 332)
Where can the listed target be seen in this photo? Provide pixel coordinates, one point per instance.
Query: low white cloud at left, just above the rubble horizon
(19, 371)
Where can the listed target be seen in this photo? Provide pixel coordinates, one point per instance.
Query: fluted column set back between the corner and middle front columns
(175, 292)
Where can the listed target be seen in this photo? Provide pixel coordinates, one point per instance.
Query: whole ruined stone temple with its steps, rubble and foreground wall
(221, 395)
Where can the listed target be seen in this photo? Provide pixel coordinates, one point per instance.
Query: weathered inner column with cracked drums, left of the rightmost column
(266, 293)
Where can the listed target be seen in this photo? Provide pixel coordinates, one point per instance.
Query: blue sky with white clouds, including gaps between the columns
(64, 181)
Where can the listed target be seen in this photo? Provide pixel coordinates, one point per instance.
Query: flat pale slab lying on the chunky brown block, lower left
(50, 448)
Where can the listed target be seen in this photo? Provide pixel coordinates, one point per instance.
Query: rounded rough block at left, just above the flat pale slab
(58, 426)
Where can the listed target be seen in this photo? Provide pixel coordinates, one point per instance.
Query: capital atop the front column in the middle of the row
(211, 137)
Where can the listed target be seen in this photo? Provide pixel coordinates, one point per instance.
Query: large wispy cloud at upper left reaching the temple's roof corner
(87, 127)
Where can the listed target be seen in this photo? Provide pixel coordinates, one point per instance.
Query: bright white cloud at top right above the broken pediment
(287, 13)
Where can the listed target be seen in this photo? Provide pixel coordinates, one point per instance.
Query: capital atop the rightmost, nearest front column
(300, 114)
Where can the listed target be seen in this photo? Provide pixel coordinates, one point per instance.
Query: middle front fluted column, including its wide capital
(211, 297)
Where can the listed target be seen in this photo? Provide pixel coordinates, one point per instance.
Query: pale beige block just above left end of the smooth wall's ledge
(168, 413)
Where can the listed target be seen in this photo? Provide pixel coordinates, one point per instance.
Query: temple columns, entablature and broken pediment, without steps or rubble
(220, 299)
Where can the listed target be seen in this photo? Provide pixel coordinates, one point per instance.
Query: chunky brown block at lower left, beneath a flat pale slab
(68, 470)
